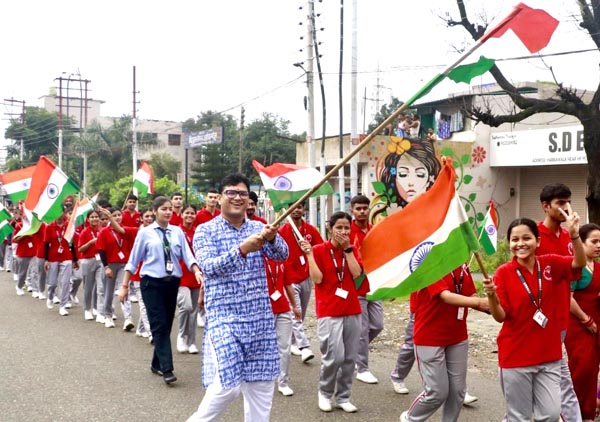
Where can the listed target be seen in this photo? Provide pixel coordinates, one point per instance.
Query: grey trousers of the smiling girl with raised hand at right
(532, 392)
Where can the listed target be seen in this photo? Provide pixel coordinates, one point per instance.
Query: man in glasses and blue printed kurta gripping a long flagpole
(240, 344)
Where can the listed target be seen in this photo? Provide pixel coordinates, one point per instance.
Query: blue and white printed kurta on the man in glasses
(239, 319)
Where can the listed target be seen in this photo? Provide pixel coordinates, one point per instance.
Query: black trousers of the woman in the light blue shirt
(160, 298)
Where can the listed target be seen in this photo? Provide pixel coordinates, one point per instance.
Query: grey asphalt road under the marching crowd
(55, 368)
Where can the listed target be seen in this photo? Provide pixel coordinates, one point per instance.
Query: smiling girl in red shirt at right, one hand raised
(526, 297)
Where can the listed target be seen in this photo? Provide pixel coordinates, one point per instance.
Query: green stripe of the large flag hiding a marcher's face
(441, 260)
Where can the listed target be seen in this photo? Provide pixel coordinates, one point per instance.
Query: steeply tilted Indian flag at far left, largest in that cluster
(49, 187)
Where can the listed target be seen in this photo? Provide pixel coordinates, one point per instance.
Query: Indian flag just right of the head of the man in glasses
(286, 183)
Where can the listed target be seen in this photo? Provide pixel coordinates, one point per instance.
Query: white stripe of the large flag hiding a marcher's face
(393, 272)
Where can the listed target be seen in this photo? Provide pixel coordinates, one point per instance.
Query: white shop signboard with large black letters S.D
(538, 147)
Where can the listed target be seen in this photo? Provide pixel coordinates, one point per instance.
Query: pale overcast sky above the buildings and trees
(195, 56)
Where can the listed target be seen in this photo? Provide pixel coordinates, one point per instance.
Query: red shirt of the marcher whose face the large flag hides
(436, 322)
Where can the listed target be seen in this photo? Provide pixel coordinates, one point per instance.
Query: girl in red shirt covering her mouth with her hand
(335, 269)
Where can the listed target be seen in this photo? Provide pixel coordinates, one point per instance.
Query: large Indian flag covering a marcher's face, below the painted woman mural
(418, 245)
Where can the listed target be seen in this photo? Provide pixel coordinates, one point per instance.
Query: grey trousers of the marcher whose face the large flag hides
(444, 374)
